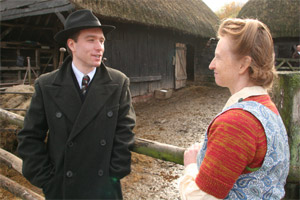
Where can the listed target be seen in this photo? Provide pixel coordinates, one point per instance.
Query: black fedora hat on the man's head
(78, 20)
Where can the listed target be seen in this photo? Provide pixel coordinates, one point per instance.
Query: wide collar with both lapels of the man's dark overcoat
(68, 100)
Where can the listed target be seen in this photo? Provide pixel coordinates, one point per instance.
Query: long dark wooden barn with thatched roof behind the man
(158, 44)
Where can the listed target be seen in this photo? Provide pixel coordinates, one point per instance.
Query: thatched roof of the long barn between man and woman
(189, 16)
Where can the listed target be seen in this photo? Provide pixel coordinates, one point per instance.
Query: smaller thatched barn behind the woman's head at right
(283, 19)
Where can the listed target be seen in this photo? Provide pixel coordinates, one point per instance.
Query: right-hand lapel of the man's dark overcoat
(99, 92)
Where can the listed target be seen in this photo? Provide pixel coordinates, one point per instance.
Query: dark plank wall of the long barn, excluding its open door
(145, 54)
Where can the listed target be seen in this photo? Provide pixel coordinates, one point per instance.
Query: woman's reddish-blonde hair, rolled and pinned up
(252, 38)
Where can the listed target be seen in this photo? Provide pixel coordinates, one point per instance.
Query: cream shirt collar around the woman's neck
(245, 93)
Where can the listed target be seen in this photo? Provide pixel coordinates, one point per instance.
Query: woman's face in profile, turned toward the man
(225, 65)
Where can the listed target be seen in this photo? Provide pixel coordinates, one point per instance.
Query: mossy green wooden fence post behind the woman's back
(286, 95)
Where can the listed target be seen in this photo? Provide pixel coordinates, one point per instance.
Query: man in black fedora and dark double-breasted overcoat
(87, 125)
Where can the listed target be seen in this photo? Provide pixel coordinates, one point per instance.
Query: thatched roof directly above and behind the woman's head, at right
(281, 16)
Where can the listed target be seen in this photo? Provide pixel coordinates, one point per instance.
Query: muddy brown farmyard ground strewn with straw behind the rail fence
(180, 120)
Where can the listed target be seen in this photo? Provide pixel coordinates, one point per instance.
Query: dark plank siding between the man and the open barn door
(143, 54)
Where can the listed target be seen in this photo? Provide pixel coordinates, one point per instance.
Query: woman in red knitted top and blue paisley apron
(245, 154)
